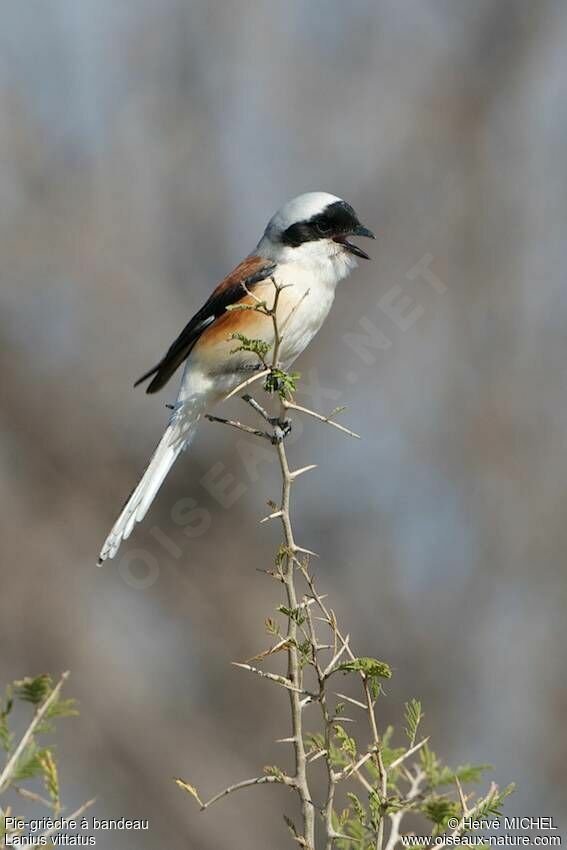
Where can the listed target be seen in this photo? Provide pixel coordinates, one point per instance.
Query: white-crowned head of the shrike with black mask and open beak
(314, 228)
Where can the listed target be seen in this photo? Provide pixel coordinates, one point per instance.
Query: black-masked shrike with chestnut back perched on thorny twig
(304, 251)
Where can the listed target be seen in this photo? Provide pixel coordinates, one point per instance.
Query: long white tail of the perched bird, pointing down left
(177, 437)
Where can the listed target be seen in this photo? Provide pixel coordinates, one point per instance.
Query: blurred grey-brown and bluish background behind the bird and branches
(143, 147)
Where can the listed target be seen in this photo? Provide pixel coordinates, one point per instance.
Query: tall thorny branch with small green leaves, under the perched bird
(393, 789)
